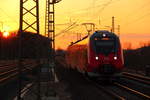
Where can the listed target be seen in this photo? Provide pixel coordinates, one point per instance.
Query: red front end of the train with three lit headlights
(104, 54)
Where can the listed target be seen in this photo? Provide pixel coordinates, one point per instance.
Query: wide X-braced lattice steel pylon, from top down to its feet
(29, 21)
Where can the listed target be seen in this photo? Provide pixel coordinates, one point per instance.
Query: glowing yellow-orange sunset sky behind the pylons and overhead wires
(132, 15)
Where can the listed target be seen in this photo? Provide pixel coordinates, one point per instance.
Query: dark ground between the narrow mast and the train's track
(77, 87)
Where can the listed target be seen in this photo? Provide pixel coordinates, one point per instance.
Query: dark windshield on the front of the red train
(105, 46)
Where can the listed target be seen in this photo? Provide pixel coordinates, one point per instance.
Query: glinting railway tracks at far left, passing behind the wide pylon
(9, 70)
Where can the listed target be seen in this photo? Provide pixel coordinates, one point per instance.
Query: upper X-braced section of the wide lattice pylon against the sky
(29, 15)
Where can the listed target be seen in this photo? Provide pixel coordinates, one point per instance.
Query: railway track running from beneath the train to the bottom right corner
(118, 91)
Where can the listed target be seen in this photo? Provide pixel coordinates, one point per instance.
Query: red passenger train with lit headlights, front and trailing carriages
(98, 55)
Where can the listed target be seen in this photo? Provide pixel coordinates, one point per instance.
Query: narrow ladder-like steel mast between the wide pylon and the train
(50, 27)
